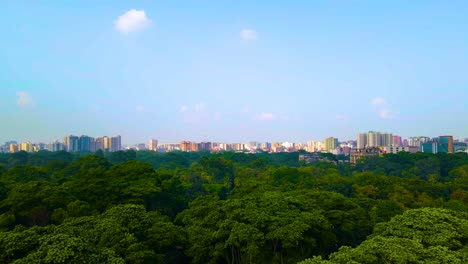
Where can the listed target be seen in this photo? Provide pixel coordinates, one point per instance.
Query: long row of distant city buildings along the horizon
(366, 144)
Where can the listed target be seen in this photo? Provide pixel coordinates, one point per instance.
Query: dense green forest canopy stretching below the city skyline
(199, 207)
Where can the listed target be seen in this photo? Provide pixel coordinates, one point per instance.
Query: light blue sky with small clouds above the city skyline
(232, 70)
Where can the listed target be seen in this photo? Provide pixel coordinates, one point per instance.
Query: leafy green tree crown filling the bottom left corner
(123, 234)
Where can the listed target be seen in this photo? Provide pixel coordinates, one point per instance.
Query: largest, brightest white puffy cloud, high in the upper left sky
(132, 21)
